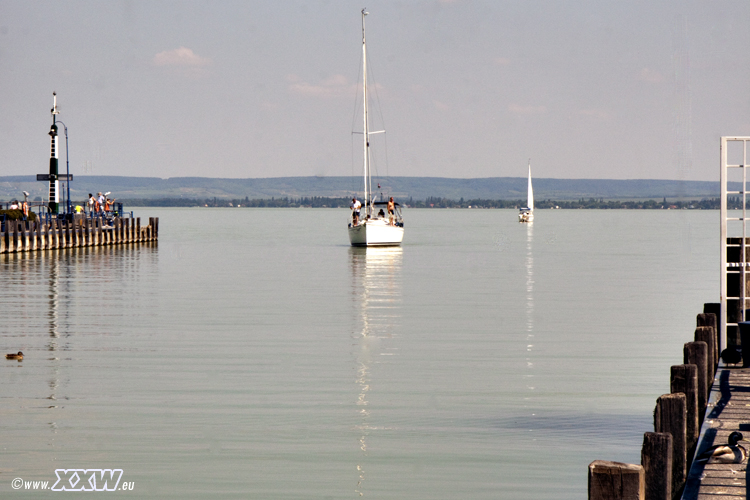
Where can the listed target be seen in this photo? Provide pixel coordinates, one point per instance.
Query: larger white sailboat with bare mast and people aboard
(371, 229)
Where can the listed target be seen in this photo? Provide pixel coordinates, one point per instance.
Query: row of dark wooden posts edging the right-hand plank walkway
(667, 452)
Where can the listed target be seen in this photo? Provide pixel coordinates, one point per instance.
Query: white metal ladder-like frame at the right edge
(740, 267)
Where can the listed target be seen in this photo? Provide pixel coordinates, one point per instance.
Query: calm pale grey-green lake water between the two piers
(252, 353)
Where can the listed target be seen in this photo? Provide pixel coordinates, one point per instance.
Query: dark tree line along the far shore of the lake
(436, 202)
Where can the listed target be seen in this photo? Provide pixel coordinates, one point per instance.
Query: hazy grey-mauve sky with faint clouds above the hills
(586, 89)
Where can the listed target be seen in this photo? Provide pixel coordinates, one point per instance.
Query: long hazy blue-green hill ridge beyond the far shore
(418, 188)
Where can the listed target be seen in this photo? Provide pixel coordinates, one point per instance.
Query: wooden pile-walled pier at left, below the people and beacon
(59, 233)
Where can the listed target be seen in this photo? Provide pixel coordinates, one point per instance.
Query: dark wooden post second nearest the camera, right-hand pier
(656, 459)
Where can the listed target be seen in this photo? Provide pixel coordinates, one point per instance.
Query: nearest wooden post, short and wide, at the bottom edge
(616, 481)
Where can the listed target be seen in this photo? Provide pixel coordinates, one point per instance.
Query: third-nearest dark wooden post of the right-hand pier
(669, 417)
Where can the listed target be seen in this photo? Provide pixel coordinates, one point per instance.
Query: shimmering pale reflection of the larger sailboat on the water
(376, 299)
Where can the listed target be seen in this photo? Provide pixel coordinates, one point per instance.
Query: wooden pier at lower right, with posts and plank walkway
(707, 401)
